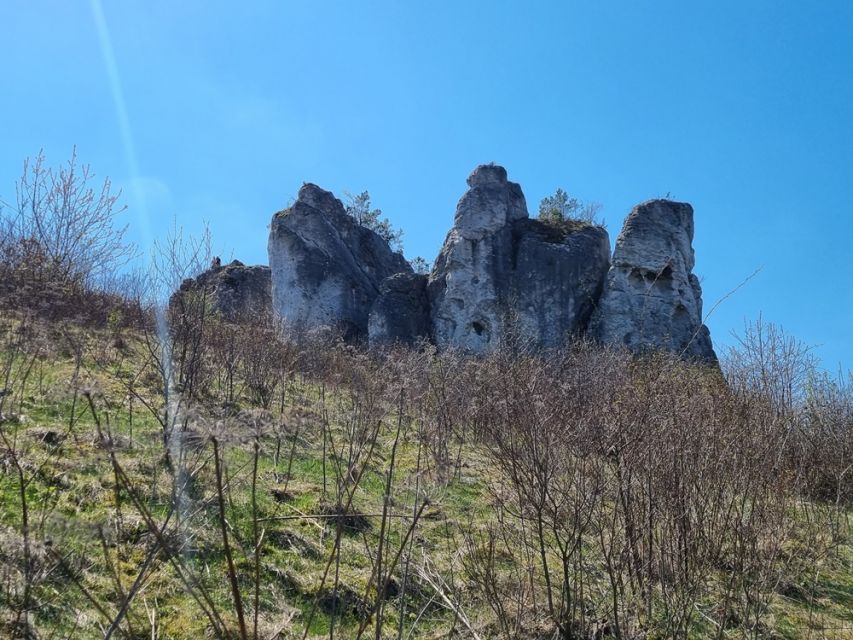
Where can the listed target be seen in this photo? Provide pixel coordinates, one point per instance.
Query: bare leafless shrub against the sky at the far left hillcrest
(61, 247)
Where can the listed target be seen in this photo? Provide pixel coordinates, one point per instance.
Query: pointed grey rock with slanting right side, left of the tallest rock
(326, 268)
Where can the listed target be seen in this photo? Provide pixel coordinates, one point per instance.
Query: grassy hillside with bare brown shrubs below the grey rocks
(221, 483)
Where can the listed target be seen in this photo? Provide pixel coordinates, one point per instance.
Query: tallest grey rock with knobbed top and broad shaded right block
(500, 271)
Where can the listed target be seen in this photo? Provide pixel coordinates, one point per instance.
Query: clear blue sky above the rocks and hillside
(219, 111)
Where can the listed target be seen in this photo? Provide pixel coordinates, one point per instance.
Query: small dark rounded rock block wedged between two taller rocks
(401, 312)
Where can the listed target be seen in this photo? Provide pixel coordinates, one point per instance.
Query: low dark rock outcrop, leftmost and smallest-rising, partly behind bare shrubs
(237, 292)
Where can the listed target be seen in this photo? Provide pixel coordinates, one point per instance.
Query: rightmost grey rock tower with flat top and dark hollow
(652, 299)
